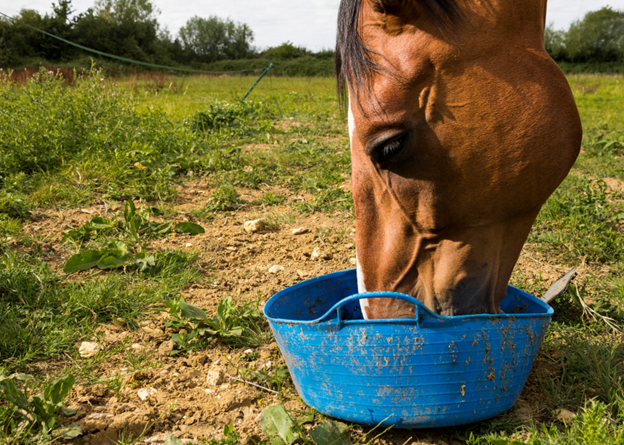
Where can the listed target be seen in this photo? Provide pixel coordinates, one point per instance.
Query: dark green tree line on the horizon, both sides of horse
(130, 29)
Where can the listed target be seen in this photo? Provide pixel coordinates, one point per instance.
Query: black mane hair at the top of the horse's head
(354, 64)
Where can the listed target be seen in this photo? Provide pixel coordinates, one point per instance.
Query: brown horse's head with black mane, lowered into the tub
(461, 126)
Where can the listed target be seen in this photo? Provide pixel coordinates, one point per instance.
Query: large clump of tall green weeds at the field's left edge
(46, 127)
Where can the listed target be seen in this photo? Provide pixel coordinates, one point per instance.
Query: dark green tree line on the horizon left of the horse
(130, 29)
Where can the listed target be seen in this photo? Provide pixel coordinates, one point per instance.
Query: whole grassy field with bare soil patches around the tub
(122, 207)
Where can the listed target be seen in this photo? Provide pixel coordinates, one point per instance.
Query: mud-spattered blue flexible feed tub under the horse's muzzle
(430, 371)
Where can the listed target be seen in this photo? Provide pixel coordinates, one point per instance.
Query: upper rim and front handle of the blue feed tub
(548, 310)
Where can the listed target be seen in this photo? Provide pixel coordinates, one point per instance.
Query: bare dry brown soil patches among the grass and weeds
(179, 398)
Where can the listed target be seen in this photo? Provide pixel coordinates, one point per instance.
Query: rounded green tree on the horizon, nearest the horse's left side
(214, 39)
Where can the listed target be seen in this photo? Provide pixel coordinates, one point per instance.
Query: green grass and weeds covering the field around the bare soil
(153, 134)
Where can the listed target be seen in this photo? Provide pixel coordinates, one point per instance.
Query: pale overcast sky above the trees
(308, 23)
